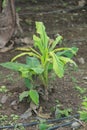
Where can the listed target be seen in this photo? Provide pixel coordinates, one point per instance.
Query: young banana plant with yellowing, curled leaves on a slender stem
(45, 56)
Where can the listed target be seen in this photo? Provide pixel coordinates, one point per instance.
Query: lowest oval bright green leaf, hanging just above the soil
(34, 96)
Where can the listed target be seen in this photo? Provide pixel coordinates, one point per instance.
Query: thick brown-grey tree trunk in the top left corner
(7, 22)
